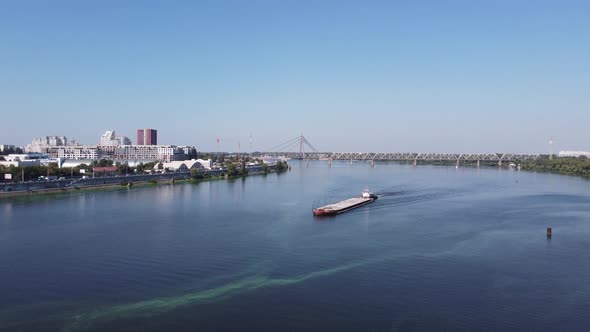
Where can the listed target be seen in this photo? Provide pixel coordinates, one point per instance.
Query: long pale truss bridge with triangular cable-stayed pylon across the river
(300, 142)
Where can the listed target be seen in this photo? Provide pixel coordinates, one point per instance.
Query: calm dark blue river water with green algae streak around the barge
(441, 249)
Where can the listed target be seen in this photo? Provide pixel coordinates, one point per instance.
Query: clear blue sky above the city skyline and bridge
(420, 76)
